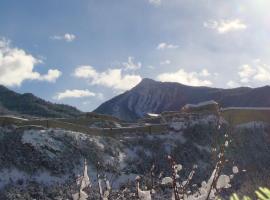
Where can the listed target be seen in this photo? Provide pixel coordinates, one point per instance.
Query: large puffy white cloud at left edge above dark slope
(17, 66)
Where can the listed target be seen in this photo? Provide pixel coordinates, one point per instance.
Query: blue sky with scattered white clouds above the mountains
(84, 52)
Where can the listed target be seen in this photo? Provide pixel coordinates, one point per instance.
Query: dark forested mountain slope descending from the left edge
(28, 104)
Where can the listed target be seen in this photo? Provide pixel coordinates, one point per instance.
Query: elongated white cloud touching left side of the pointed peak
(111, 78)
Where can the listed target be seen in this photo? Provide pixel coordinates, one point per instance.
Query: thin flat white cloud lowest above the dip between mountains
(74, 94)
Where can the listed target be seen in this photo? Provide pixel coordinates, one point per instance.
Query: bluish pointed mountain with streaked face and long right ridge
(151, 96)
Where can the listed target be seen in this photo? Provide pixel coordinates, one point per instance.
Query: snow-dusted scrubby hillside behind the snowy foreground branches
(39, 163)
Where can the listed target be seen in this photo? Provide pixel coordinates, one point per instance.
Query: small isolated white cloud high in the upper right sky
(225, 26)
